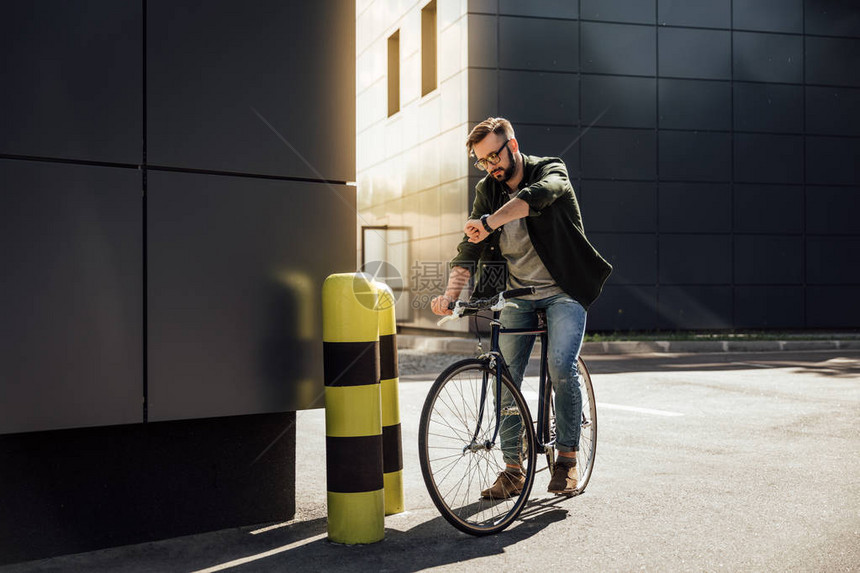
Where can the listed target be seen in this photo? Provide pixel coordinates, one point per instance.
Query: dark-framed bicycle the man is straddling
(462, 424)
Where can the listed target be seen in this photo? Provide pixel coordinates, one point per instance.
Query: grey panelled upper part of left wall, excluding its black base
(173, 185)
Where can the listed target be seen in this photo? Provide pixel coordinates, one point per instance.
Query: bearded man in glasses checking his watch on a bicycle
(526, 216)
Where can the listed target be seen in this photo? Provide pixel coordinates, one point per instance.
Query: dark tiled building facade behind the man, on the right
(714, 145)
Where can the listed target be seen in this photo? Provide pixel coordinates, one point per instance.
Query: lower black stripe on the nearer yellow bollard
(358, 464)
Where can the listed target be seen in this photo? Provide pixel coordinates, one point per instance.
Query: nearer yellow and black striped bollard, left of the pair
(353, 410)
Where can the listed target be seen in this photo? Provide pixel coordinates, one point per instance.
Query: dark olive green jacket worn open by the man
(555, 228)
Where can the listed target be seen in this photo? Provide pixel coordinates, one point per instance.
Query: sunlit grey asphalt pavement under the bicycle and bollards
(709, 461)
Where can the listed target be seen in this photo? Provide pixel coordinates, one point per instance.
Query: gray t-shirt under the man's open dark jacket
(525, 268)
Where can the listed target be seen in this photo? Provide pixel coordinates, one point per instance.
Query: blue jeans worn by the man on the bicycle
(566, 327)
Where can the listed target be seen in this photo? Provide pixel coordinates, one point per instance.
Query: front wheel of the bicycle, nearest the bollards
(460, 460)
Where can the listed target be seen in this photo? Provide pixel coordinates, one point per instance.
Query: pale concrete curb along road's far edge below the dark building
(456, 345)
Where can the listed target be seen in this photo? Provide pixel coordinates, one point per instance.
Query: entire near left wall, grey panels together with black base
(172, 196)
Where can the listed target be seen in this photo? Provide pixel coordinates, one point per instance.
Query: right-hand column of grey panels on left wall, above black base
(236, 264)
